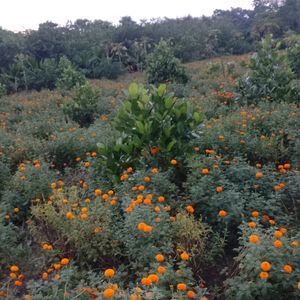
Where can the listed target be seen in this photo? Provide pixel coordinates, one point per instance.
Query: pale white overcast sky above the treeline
(19, 15)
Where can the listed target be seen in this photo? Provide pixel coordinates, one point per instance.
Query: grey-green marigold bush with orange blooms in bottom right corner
(280, 283)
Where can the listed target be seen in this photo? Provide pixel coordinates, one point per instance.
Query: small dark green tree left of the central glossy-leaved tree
(83, 107)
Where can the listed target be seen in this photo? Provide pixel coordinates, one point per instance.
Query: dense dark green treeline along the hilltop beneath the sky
(101, 49)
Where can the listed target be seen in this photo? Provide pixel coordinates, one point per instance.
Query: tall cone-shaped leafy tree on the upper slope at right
(270, 77)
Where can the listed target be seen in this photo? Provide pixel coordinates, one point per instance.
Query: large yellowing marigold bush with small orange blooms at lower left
(92, 237)
